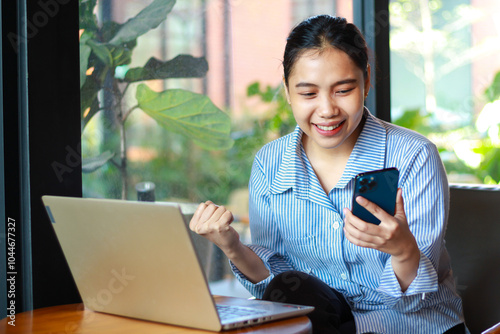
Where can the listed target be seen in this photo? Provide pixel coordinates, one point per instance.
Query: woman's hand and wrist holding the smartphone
(392, 236)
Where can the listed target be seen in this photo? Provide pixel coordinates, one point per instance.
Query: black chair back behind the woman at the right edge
(473, 241)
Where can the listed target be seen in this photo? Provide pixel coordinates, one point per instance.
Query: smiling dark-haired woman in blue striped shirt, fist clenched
(307, 246)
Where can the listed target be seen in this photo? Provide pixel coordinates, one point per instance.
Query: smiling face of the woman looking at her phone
(326, 90)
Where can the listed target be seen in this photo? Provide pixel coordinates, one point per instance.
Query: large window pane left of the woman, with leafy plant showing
(182, 95)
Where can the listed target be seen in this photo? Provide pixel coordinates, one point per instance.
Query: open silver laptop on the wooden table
(137, 259)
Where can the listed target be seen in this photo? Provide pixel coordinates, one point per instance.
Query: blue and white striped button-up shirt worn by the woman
(295, 225)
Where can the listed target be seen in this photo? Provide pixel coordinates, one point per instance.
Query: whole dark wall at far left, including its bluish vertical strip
(41, 136)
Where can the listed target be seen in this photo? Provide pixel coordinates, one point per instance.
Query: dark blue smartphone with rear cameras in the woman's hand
(379, 187)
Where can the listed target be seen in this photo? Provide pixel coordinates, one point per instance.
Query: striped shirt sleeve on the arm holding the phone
(425, 194)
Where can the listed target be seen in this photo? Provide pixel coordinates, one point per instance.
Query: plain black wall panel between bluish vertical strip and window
(54, 116)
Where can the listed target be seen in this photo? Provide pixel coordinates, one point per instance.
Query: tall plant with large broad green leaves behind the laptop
(105, 80)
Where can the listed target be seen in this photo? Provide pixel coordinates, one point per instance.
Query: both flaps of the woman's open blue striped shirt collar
(368, 154)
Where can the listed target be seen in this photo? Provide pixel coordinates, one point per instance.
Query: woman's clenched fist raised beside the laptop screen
(214, 223)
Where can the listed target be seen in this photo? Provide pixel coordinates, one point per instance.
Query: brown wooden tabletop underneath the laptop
(75, 318)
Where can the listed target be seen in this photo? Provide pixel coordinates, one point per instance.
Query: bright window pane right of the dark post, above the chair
(445, 81)
